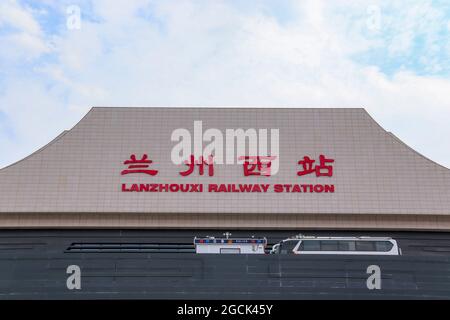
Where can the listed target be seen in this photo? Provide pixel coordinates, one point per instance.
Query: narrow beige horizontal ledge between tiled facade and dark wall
(225, 221)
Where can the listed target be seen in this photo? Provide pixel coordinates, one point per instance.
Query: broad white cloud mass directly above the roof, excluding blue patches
(211, 53)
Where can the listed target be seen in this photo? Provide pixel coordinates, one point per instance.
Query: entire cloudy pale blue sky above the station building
(60, 58)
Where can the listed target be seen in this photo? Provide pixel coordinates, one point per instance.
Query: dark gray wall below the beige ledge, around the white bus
(33, 265)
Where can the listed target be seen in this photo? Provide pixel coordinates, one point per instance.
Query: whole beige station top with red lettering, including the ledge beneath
(151, 168)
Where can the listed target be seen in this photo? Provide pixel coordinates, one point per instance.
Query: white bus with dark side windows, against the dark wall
(337, 246)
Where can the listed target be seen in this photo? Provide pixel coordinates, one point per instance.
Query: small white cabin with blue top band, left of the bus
(227, 245)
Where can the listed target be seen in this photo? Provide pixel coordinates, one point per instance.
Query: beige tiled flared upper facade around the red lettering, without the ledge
(79, 171)
